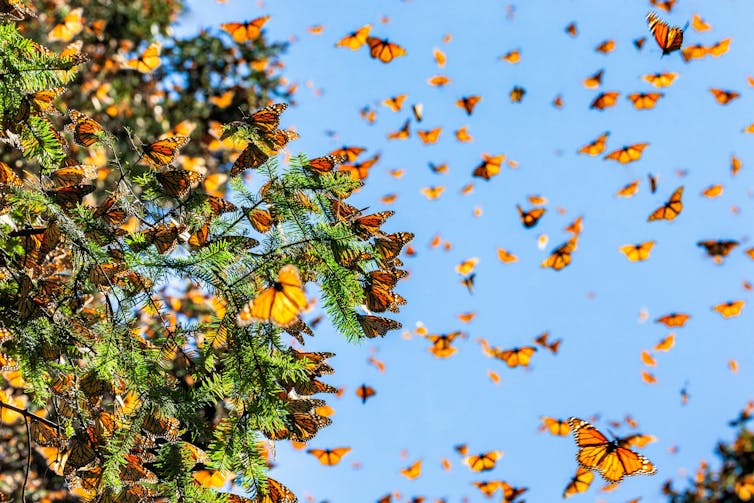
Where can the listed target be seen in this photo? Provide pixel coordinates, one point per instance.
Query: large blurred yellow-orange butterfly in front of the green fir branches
(280, 303)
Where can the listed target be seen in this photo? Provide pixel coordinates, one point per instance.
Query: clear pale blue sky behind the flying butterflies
(425, 405)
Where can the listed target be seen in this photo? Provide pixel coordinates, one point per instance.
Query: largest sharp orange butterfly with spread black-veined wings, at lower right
(610, 458)
